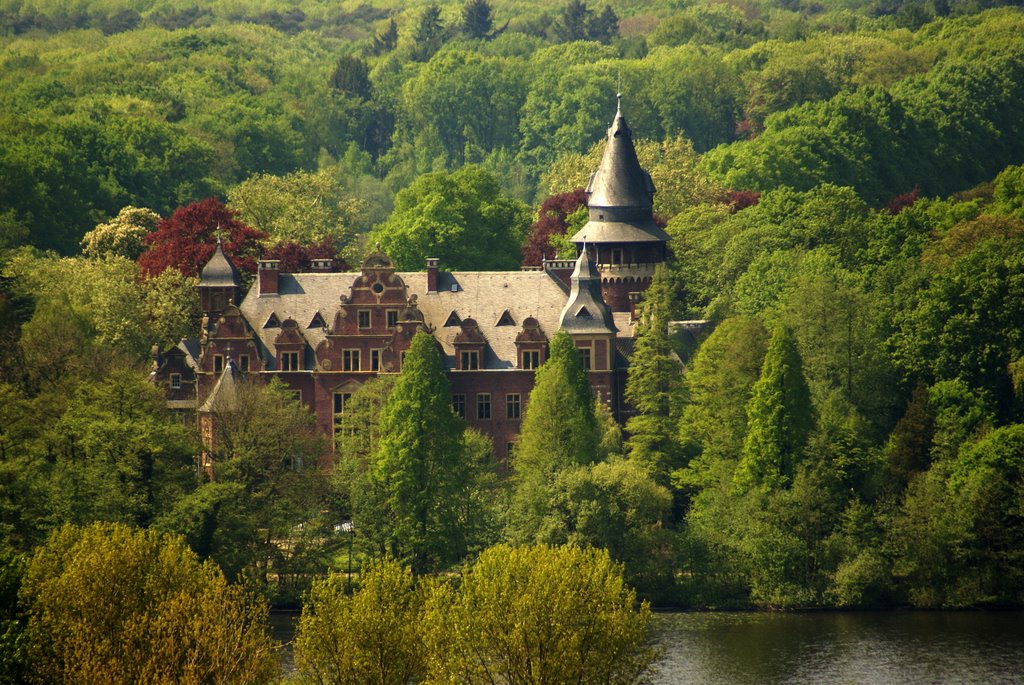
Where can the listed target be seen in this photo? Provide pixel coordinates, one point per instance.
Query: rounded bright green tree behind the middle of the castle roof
(461, 219)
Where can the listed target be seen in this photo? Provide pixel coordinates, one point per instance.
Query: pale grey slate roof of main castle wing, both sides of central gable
(484, 296)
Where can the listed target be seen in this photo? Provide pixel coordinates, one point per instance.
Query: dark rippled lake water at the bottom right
(840, 649)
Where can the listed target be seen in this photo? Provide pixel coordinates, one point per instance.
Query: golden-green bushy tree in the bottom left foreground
(158, 616)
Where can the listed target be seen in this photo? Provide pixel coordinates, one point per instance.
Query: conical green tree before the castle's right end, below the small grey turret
(560, 431)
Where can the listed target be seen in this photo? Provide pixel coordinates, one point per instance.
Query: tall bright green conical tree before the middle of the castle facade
(419, 472)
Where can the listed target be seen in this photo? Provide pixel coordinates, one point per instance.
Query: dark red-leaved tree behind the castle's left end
(188, 238)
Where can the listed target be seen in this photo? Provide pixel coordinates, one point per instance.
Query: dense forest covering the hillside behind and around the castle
(843, 186)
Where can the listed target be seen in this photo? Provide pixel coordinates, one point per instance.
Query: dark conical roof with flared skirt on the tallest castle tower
(620, 196)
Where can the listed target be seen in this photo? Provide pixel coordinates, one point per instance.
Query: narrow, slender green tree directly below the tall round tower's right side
(653, 389)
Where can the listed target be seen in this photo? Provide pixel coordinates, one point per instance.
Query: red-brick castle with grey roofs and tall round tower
(325, 334)
